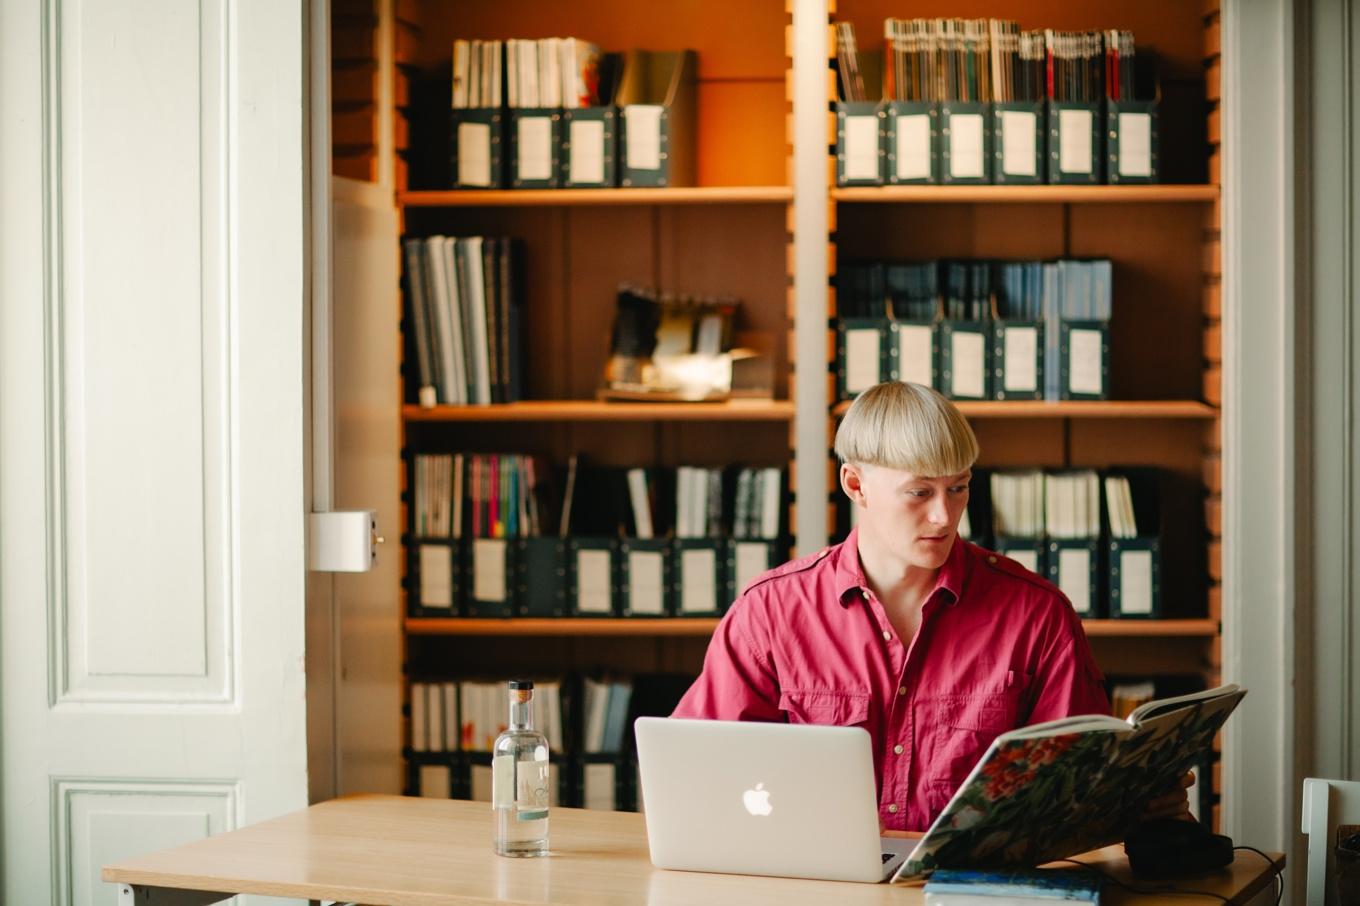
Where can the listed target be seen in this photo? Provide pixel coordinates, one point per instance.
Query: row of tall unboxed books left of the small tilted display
(464, 304)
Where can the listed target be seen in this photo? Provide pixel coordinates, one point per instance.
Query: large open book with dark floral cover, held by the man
(1071, 786)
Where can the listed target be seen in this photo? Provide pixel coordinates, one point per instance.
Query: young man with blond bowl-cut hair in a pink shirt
(932, 644)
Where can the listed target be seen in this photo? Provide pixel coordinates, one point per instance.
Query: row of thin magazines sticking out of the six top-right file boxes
(988, 61)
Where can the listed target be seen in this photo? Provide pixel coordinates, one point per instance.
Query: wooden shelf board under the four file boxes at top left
(576, 198)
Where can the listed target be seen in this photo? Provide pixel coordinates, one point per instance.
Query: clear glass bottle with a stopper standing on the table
(520, 780)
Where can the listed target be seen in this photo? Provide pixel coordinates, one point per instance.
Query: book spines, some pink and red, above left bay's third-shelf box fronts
(505, 496)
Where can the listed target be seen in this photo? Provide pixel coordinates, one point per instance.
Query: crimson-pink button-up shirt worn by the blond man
(999, 648)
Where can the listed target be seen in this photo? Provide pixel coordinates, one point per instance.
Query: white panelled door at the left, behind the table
(152, 431)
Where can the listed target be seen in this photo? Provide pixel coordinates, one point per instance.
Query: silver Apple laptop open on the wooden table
(764, 799)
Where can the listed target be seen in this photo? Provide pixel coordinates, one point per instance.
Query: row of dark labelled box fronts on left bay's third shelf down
(599, 577)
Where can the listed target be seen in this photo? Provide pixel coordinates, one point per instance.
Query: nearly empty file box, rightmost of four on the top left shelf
(658, 107)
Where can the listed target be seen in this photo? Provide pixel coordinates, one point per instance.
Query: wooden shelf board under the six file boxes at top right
(1030, 194)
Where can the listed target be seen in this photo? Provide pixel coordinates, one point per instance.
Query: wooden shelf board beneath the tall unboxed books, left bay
(595, 412)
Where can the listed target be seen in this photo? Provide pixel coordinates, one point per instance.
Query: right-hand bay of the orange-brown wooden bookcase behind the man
(1166, 335)
